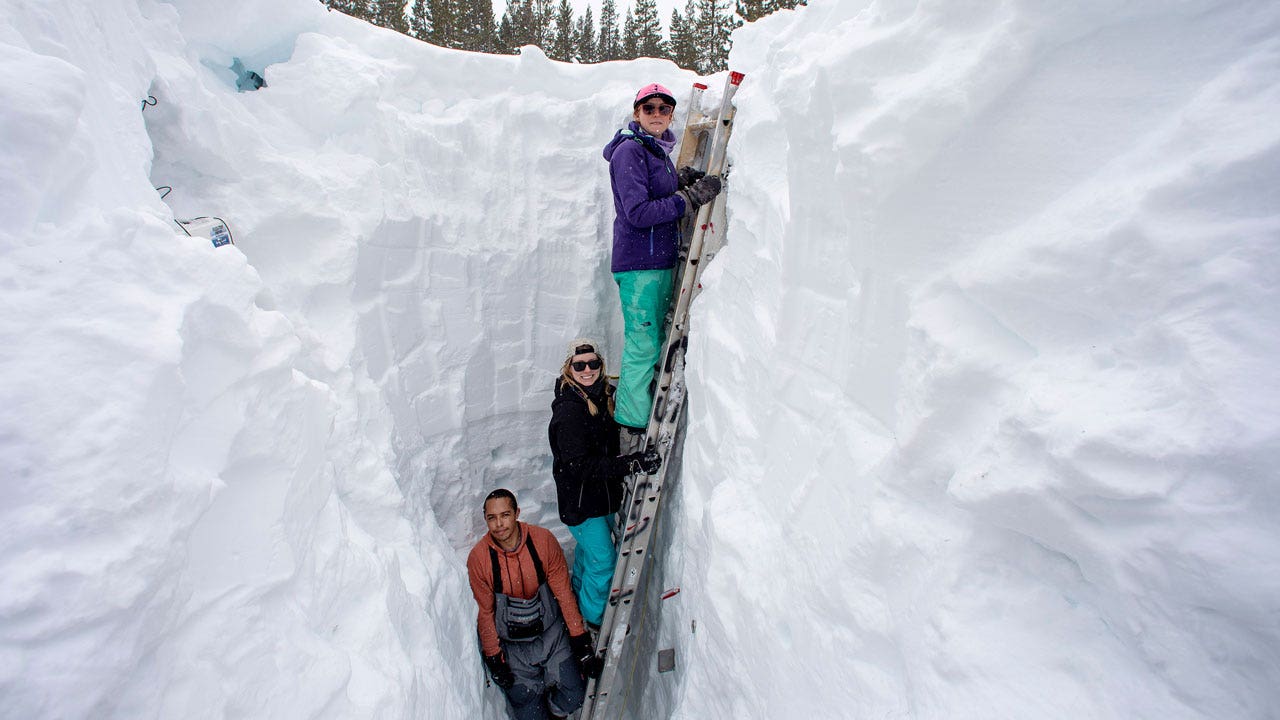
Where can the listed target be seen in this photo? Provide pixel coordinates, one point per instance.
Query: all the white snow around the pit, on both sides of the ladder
(984, 388)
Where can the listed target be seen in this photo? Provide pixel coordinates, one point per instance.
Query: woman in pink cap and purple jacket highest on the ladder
(650, 198)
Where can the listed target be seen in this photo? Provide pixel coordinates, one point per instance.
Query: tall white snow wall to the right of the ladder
(1002, 280)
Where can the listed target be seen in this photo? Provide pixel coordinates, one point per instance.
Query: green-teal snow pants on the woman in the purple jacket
(646, 297)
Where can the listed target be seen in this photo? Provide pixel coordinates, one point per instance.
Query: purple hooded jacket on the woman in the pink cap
(646, 227)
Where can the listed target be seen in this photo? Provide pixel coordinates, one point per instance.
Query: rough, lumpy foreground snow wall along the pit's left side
(200, 518)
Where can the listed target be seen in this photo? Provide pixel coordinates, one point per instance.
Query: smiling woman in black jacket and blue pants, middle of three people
(589, 472)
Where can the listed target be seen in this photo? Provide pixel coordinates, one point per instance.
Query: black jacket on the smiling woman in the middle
(589, 475)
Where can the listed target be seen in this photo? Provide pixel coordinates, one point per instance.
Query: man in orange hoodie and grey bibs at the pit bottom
(532, 634)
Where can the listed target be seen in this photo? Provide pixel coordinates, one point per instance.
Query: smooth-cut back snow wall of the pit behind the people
(438, 241)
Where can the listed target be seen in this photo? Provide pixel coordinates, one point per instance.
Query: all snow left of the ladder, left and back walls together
(241, 482)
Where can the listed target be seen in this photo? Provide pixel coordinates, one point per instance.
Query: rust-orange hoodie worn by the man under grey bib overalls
(520, 580)
